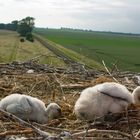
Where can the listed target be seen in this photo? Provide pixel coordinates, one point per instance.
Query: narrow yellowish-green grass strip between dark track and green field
(71, 57)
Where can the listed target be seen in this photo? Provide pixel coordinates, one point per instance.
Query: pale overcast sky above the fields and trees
(98, 15)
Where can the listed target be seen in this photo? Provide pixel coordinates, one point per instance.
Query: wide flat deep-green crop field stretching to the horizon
(110, 47)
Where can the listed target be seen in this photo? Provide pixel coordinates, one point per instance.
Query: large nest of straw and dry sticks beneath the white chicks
(63, 88)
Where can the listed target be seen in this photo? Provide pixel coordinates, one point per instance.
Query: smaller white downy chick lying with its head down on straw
(30, 108)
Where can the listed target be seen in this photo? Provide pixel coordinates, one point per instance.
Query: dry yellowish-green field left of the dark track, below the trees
(11, 49)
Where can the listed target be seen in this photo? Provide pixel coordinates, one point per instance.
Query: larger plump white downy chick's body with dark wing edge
(102, 99)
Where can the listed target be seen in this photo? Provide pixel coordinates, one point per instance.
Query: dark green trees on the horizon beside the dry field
(24, 27)
